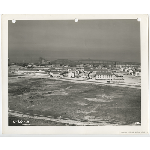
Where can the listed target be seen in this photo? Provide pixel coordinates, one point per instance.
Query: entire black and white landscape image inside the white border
(75, 72)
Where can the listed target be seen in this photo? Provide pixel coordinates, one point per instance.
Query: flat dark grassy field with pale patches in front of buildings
(50, 102)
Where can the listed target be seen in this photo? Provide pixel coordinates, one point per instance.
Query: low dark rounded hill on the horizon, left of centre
(65, 62)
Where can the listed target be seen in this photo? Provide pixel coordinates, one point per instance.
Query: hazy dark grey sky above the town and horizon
(117, 40)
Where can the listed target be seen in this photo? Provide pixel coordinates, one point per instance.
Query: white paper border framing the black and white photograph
(78, 130)
